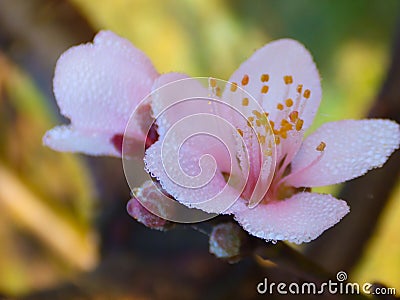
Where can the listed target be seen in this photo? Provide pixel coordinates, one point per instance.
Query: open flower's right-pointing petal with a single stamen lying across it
(352, 148)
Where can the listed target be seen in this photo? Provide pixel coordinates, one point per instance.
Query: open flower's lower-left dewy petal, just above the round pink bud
(192, 180)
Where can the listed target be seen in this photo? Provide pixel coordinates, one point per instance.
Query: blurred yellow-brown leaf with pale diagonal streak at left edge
(44, 195)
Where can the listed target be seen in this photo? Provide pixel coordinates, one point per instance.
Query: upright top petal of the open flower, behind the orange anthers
(277, 59)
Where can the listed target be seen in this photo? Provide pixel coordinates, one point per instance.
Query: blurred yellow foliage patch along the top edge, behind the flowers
(201, 38)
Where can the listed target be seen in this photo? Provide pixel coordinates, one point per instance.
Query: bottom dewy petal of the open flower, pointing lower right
(301, 218)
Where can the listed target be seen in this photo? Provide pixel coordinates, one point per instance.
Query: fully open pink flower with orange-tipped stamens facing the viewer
(283, 78)
